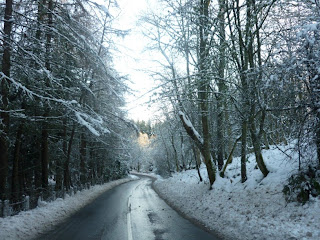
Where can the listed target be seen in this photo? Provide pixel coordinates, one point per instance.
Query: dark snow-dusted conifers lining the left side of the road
(61, 125)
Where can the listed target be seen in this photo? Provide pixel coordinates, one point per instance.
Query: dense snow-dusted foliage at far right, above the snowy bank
(297, 69)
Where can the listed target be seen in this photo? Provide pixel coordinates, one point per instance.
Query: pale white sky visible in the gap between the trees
(133, 61)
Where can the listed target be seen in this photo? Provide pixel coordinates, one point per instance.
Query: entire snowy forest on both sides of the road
(233, 77)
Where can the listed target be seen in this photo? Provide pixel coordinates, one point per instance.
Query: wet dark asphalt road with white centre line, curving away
(131, 211)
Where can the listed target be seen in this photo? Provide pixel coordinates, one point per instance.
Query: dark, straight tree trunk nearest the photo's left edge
(4, 127)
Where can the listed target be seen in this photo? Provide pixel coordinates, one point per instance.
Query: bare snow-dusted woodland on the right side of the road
(235, 77)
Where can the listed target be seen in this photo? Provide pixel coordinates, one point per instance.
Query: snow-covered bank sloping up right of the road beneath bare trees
(255, 209)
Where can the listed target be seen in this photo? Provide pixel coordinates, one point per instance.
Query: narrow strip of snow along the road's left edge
(29, 224)
